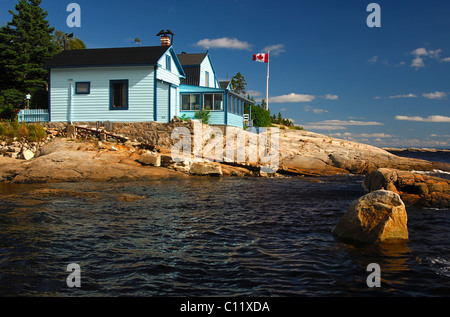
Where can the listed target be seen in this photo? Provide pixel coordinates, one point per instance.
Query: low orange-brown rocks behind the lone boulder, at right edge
(417, 190)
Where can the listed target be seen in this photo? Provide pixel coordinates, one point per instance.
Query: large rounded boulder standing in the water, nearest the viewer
(379, 216)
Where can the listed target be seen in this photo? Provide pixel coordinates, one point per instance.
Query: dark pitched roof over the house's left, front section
(149, 55)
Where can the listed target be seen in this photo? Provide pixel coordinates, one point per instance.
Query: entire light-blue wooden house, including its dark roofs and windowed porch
(138, 84)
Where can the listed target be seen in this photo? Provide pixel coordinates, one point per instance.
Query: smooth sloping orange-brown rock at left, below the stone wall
(65, 161)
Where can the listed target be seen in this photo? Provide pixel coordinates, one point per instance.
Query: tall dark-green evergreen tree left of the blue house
(25, 45)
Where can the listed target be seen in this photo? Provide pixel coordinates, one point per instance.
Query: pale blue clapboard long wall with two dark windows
(65, 105)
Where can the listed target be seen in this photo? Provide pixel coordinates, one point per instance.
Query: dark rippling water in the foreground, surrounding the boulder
(209, 237)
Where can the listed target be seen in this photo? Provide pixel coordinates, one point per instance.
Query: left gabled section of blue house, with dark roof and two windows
(119, 84)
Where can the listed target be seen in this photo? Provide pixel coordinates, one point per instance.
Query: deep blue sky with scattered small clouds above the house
(329, 71)
